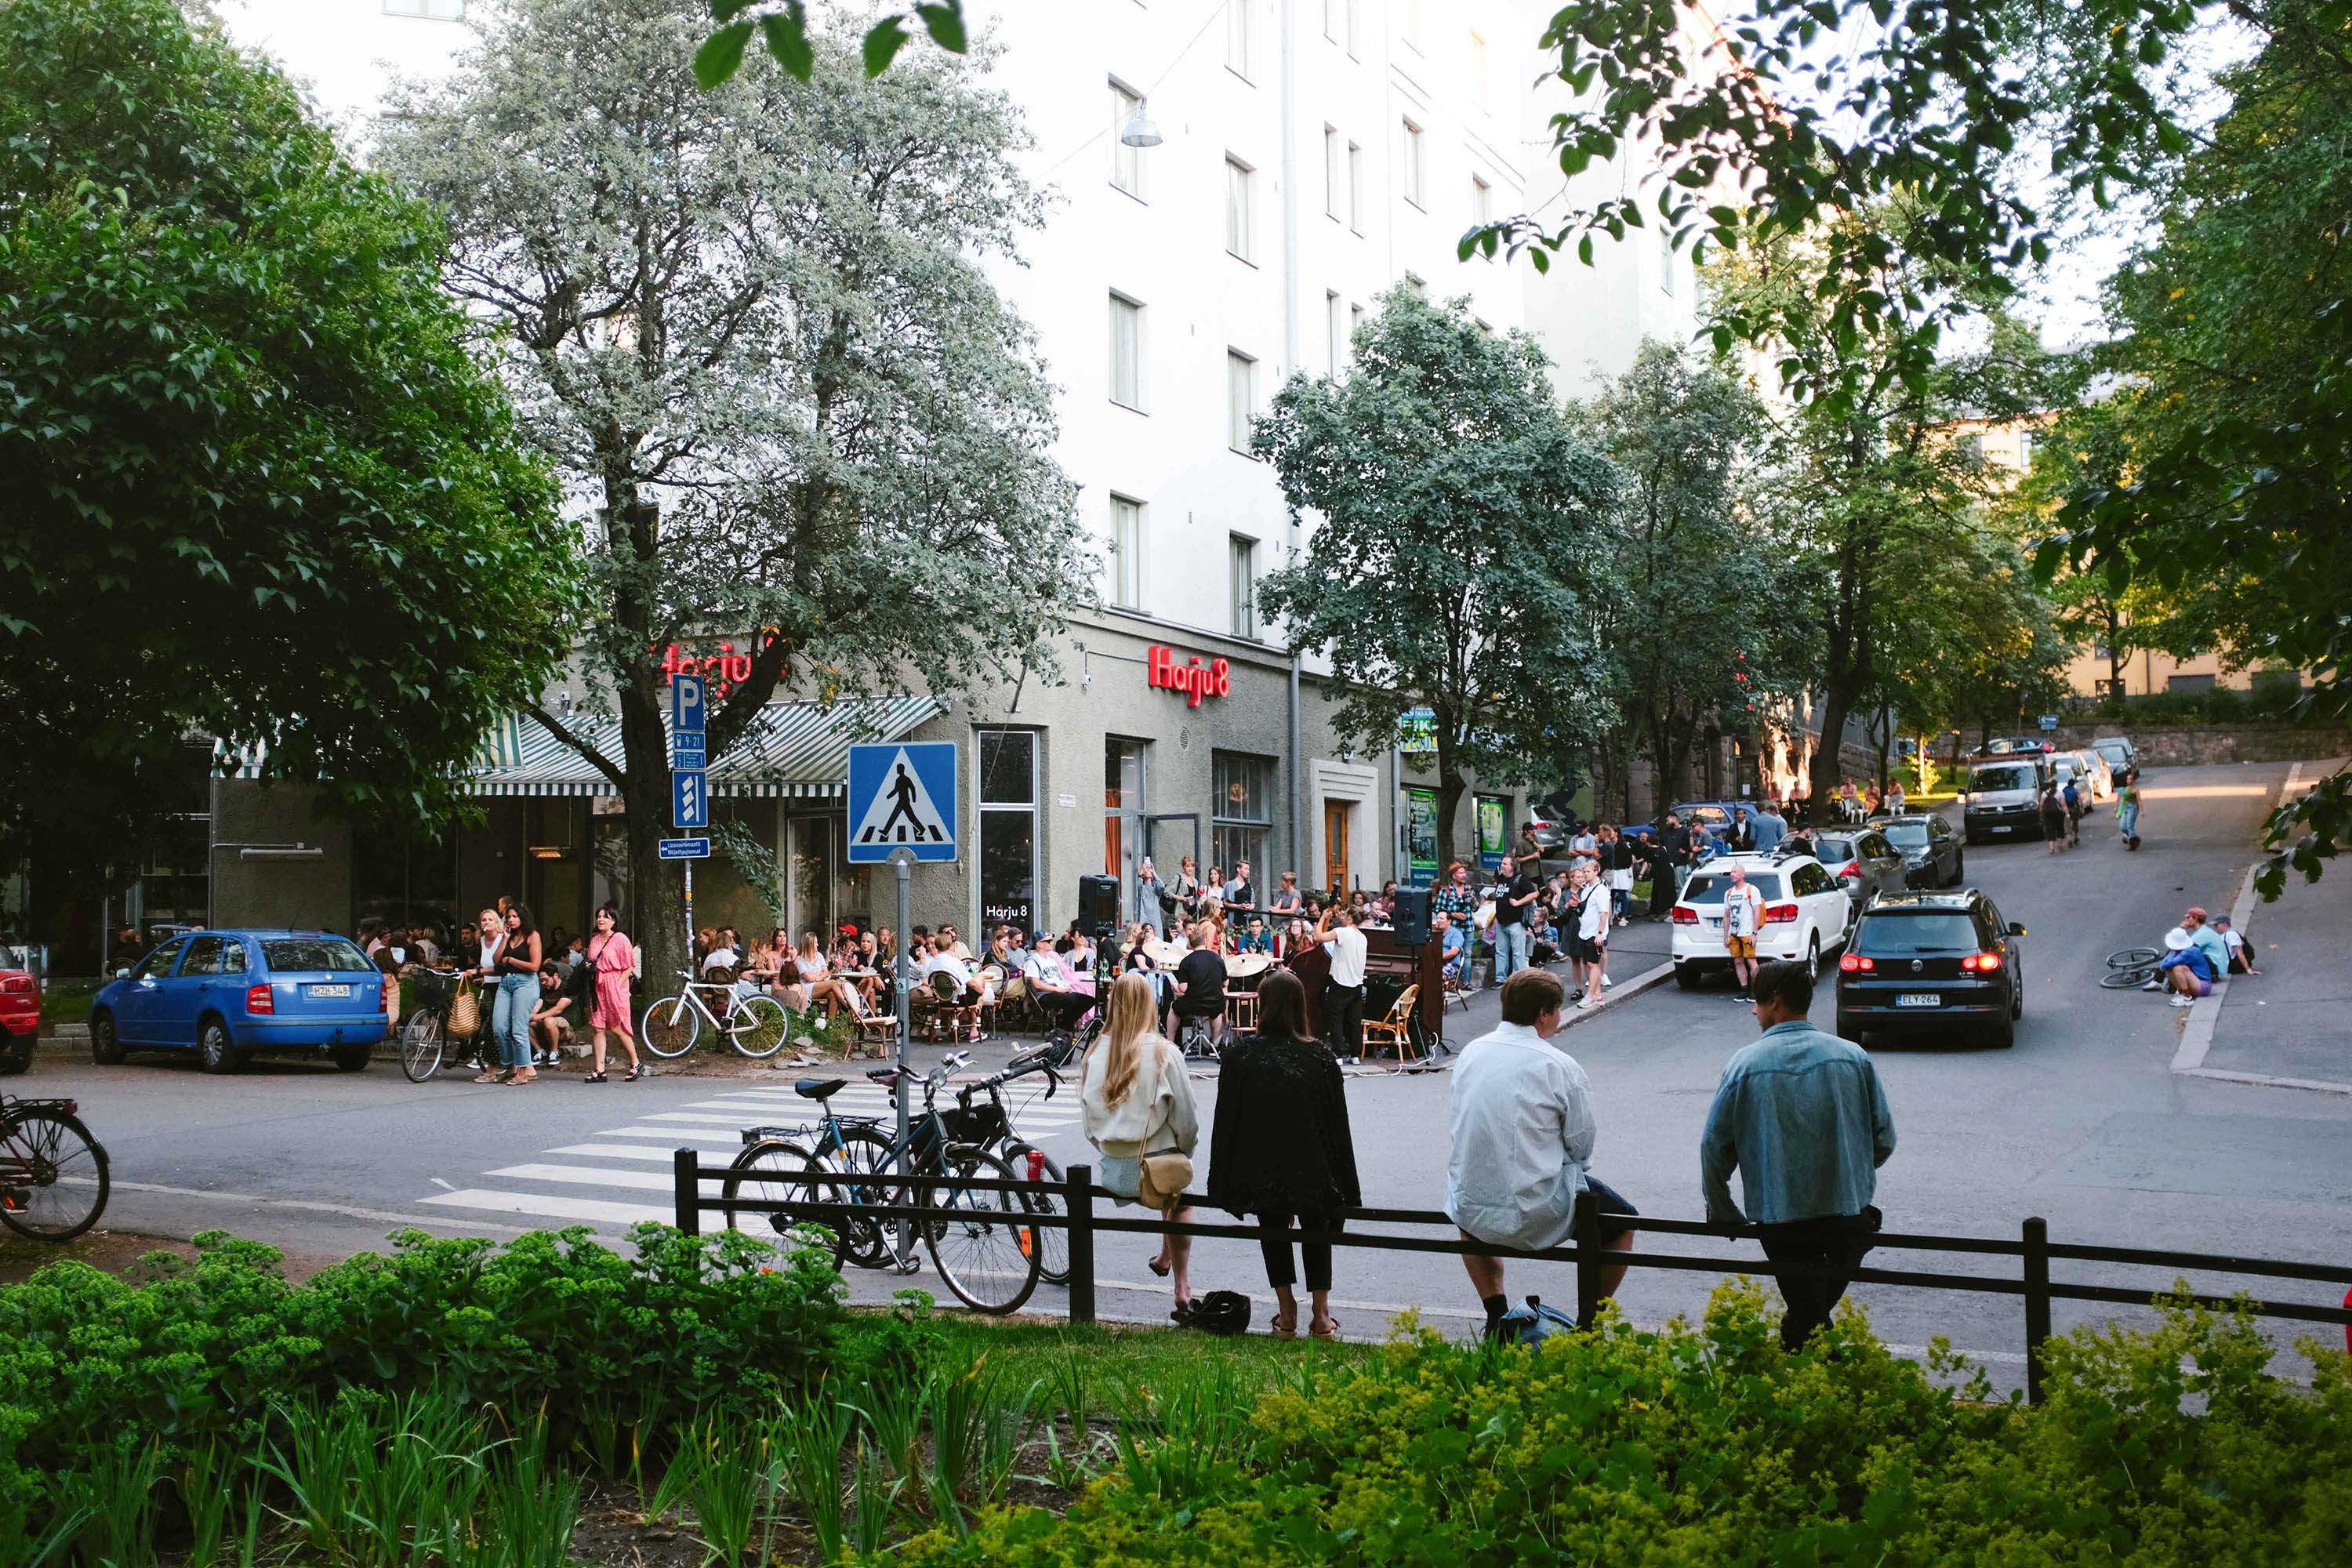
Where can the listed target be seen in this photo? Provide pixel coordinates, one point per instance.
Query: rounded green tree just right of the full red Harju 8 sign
(1459, 547)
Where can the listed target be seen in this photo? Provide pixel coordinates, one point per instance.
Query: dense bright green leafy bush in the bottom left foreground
(549, 1325)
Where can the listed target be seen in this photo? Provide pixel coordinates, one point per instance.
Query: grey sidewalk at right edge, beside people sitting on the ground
(2292, 1024)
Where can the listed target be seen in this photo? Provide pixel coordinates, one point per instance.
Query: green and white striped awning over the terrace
(796, 751)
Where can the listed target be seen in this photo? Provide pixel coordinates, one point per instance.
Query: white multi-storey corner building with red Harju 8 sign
(1311, 156)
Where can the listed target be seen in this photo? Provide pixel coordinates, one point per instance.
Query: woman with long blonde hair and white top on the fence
(1140, 1101)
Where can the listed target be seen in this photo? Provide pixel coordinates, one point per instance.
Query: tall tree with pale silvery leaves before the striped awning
(754, 330)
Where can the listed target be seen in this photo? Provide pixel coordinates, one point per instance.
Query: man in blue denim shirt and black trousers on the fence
(1803, 1118)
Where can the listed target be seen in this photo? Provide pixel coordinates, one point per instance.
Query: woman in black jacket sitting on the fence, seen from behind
(1281, 1146)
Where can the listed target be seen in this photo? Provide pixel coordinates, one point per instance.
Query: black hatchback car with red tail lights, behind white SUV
(1932, 965)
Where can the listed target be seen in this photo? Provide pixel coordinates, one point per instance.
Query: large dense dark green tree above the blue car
(260, 488)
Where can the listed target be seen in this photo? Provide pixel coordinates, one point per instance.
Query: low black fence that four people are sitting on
(1074, 1205)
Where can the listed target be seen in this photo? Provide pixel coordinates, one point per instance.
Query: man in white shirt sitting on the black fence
(1523, 1144)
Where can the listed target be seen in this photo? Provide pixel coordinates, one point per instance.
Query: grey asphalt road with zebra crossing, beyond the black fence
(2080, 1123)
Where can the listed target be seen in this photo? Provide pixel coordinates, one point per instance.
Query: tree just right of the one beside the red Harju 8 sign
(1697, 624)
